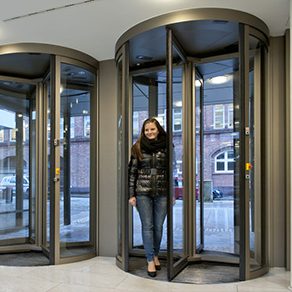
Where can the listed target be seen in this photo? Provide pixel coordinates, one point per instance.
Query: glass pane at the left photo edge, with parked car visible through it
(15, 102)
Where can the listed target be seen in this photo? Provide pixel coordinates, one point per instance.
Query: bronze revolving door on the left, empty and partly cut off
(47, 152)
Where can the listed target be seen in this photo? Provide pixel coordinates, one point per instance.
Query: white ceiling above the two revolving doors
(94, 26)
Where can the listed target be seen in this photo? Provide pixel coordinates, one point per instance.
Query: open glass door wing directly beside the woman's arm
(175, 98)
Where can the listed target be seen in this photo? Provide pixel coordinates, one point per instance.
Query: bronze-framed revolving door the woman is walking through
(204, 80)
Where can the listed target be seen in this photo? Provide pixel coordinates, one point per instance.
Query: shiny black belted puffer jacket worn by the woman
(148, 177)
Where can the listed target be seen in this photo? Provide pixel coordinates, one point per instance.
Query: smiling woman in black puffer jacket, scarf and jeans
(147, 187)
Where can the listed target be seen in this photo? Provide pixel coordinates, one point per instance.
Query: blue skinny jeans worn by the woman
(152, 211)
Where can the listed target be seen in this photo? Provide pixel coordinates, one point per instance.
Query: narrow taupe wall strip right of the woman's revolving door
(276, 158)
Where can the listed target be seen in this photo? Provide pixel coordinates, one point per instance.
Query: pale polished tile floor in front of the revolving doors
(102, 275)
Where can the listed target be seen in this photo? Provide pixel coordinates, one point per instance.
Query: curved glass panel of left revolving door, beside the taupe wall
(77, 85)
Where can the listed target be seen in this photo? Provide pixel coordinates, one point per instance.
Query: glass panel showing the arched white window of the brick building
(219, 136)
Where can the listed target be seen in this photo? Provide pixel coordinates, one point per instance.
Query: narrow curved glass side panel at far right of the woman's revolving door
(256, 199)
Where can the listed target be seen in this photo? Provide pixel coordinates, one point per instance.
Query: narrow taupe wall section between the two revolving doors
(107, 222)
